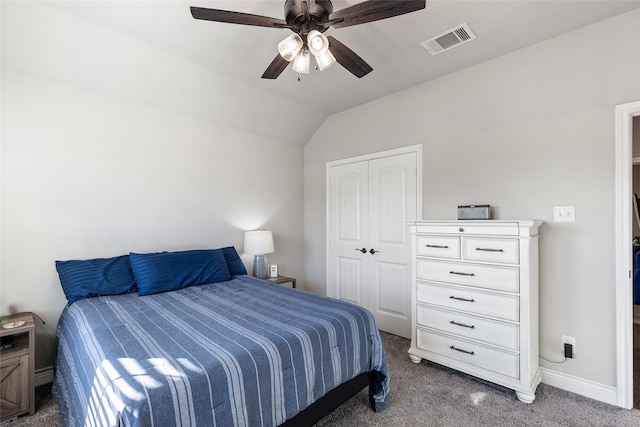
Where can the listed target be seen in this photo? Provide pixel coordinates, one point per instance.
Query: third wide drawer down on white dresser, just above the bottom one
(496, 333)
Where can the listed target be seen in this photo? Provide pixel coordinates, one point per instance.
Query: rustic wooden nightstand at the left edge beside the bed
(17, 390)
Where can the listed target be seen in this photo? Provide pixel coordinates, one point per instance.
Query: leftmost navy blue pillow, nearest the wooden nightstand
(95, 277)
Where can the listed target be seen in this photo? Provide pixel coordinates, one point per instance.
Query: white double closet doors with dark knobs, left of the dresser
(370, 203)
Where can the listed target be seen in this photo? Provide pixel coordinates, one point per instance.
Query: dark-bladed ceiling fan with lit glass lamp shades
(308, 19)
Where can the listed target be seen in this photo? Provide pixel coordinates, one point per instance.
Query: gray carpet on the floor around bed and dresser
(432, 395)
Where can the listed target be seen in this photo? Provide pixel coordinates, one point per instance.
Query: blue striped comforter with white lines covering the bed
(243, 353)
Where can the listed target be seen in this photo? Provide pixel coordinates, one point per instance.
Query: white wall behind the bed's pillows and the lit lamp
(88, 171)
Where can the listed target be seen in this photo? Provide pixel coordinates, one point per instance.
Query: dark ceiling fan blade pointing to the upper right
(374, 10)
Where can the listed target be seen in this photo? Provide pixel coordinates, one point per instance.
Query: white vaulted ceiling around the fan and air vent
(290, 109)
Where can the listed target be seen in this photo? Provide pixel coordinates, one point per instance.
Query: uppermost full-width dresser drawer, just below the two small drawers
(482, 276)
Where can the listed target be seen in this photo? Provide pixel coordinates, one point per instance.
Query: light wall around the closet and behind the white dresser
(524, 132)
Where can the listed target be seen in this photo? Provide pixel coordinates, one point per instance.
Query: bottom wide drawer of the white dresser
(502, 362)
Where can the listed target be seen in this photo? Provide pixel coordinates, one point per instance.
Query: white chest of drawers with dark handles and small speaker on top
(475, 299)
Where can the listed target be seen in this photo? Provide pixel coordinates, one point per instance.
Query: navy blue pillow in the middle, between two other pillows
(168, 271)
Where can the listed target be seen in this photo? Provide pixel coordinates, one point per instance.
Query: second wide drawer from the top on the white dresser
(501, 306)
